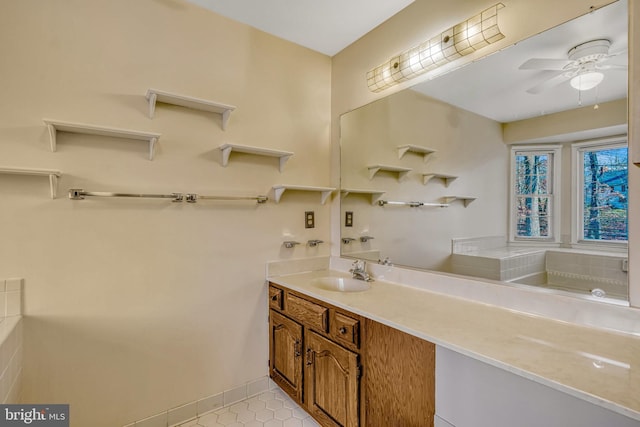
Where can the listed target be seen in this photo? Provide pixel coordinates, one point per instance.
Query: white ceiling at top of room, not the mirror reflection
(326, 26)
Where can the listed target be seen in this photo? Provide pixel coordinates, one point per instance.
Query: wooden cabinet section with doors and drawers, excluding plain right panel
(314, 356)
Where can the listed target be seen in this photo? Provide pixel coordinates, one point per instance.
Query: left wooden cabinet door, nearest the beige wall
(285, 360)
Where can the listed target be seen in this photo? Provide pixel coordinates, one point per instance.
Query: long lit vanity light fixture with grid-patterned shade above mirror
(460, 40)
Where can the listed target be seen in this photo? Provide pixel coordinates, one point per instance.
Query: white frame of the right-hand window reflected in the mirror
(577, 197)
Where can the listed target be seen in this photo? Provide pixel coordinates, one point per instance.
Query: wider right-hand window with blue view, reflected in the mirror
(602, 192)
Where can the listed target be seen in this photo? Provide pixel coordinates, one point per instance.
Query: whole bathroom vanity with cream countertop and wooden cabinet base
(400, 355)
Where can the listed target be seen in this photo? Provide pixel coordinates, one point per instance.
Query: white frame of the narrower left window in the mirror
(554, 194)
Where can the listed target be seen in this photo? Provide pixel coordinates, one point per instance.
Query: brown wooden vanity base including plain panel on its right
(345, 369)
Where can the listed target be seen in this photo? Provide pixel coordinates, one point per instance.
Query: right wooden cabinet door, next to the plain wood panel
(331, 382)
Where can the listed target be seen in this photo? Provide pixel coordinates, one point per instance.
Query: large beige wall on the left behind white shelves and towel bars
(133, 306)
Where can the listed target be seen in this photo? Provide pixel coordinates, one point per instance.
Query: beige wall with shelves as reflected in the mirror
(467, 146)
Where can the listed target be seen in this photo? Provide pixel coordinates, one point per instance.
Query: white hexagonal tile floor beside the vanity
(272, 408)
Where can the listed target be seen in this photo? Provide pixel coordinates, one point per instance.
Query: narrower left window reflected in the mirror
(533, 193)
